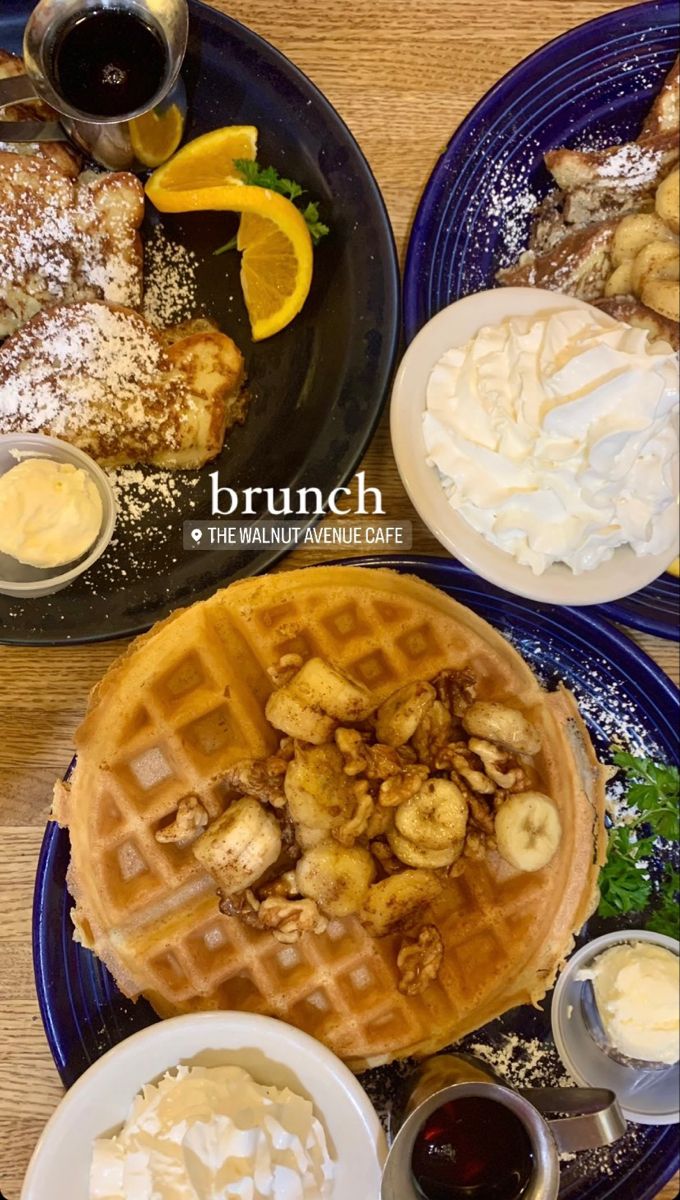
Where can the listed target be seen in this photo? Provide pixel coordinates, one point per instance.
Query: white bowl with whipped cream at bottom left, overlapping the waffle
(207, 1107)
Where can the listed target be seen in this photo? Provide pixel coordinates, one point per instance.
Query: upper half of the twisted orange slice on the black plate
(207, 161)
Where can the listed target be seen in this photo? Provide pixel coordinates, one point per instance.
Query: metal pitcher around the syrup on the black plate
(110, 141)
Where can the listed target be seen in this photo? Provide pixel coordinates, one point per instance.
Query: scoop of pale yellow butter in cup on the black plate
(51, 513)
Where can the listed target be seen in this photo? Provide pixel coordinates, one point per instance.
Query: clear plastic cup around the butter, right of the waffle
(647, 1093)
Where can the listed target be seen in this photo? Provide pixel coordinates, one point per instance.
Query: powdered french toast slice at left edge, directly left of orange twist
(65, 241)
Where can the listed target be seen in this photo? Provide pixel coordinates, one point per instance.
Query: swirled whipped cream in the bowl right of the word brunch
(557, 439)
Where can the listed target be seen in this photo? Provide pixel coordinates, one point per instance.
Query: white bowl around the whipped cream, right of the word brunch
(455, 326)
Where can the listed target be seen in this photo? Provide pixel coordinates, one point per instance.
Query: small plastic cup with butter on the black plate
(57, 514)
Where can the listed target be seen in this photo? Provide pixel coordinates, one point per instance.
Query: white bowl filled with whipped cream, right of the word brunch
(538, 440)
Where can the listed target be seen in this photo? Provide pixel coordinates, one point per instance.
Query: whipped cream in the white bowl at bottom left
(212, 1133)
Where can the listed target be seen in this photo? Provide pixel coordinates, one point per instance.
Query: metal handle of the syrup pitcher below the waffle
(598, 1119)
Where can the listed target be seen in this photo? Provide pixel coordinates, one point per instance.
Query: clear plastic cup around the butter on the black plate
(27, 583)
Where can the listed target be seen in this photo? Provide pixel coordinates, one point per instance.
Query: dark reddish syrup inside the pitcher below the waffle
(473, 1149)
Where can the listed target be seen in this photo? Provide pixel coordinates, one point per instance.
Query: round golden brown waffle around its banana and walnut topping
(188, 700)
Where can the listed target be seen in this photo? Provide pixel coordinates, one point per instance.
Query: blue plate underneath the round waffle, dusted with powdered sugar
(623, 697)
